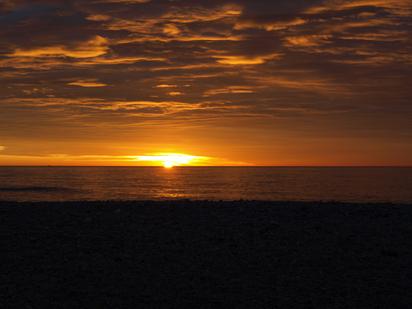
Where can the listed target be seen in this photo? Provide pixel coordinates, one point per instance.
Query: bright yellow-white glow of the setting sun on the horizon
(170, 160)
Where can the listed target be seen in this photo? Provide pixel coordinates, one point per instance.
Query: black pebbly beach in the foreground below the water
(205, 255)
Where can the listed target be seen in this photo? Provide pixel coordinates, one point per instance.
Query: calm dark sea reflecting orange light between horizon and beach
(226, 183)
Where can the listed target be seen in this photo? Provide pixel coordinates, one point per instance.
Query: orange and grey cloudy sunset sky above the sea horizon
(242, 82)
